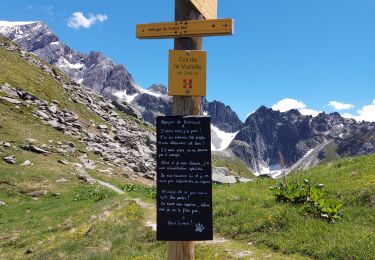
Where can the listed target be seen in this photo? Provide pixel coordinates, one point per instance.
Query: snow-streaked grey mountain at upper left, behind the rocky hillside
(93, 70)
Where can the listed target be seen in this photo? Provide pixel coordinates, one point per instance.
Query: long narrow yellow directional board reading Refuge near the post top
(192, 28)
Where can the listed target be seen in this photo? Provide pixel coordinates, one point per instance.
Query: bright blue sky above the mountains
(312, 52)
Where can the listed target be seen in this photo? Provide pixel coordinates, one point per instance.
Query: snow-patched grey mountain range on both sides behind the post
(269, 142)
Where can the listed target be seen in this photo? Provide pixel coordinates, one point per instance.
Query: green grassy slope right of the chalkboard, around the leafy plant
(249, 212)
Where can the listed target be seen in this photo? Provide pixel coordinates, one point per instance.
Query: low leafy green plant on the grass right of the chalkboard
(312, 196)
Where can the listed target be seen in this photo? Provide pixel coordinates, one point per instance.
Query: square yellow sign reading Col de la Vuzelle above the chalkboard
(187, 73)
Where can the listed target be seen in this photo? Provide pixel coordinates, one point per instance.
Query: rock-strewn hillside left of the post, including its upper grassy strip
(118, 139)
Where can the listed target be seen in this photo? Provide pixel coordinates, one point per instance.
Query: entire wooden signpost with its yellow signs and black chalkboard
(187, 85)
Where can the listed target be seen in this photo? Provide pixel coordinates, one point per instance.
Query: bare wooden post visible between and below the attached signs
(182, 106)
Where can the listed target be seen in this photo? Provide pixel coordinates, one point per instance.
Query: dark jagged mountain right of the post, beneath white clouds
(274, 140)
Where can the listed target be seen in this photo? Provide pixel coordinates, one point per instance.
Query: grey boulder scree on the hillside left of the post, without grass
(117, 141)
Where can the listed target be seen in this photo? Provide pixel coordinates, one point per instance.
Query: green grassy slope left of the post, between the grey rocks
(83, 222)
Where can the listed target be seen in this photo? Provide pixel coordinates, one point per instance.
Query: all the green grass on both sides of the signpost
(101, 224)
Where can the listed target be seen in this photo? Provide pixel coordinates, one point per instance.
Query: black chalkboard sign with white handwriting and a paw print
(184, 183)
